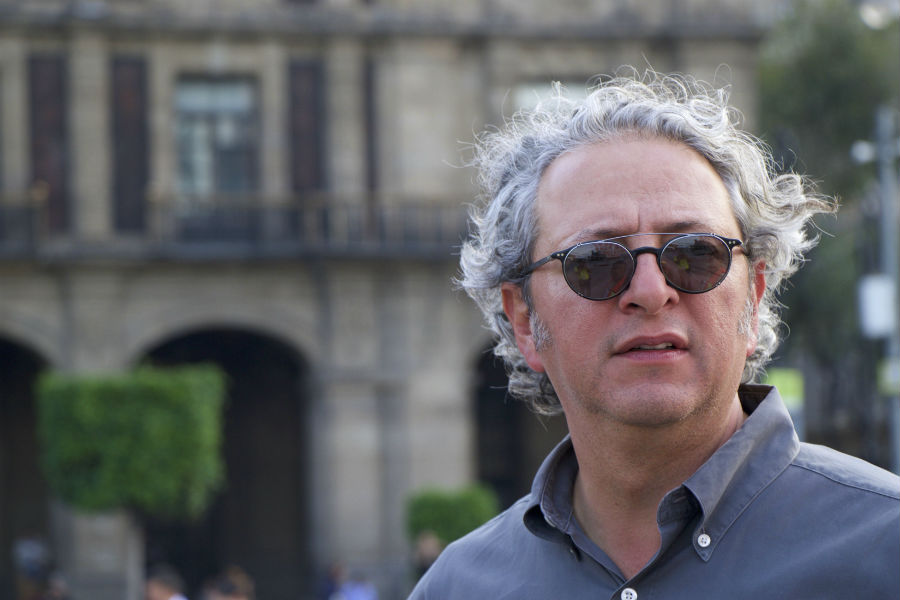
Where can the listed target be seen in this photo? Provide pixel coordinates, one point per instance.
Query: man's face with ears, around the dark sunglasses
(599, 354)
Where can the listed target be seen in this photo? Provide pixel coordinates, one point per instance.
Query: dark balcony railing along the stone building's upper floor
(250, 228)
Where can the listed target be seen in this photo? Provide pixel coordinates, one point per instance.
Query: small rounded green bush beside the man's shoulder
(450, 514)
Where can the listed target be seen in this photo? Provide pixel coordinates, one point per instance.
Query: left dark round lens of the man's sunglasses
(598, 270)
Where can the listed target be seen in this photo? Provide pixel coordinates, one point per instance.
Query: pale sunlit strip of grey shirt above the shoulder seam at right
(848, 471)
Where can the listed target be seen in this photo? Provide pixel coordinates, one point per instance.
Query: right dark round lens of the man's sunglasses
(695, 263)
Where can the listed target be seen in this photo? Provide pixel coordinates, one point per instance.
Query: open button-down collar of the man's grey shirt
(723, 486)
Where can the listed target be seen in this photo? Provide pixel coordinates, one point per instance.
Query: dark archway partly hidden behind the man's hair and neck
(511, 440)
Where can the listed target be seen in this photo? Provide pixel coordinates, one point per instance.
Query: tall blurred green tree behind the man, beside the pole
(822, 75)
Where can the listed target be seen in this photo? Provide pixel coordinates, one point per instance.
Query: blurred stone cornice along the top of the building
(365, 22)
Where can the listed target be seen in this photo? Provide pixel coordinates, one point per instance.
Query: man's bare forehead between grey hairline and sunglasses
(630, 185)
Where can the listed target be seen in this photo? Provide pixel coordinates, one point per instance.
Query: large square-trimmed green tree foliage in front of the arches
(147, 440)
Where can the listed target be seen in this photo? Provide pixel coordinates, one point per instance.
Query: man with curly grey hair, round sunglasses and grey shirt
(627, 256)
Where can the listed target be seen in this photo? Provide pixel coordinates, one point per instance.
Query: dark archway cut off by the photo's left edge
(24, 496)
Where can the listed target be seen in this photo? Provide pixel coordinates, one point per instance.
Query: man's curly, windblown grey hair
(773, 210)
